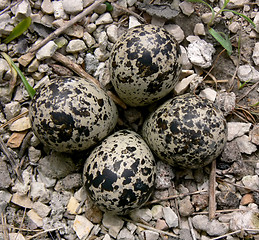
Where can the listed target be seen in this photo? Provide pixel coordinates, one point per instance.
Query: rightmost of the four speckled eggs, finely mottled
(186, 131)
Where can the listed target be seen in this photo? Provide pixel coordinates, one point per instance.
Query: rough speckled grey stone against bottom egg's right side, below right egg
(164, 175)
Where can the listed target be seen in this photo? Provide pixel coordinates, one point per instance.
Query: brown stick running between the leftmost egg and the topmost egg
(80, 71)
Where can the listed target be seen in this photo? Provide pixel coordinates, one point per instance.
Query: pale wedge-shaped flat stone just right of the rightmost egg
(237, 129)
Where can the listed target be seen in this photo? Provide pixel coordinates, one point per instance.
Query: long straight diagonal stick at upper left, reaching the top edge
(60, 30)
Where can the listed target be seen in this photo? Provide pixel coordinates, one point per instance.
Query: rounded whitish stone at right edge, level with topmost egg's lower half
(248, 73)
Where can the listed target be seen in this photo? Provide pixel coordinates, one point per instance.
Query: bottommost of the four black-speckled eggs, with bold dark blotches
(119, 173)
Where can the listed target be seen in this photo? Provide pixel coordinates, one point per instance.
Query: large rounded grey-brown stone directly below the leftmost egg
(56, 165)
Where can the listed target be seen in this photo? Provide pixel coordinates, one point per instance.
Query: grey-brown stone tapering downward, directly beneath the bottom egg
(113, 223)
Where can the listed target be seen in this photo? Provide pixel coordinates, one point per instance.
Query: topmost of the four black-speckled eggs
(145, 64)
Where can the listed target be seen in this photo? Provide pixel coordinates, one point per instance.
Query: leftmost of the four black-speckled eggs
(71, 114)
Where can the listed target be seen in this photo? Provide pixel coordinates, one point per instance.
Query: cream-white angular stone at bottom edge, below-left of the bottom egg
(82, 226)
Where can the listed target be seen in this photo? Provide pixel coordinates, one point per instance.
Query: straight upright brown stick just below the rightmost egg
(212, 188)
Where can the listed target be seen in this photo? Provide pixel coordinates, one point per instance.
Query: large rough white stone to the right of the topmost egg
(200, 53)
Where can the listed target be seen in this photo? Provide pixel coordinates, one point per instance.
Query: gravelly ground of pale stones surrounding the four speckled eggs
(41, 193)
